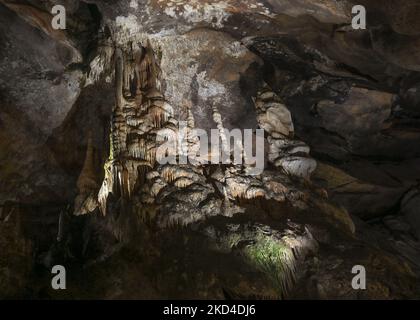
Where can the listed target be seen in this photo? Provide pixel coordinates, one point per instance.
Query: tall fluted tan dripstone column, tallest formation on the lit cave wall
(137, 117)
